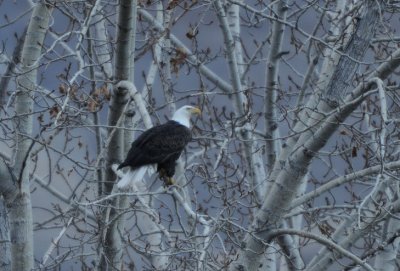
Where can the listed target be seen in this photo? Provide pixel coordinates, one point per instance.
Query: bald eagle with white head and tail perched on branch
(160, 145)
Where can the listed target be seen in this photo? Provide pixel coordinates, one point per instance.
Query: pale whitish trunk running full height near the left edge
(20, 208)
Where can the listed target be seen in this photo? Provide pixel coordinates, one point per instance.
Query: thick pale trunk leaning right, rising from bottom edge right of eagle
(283, 193)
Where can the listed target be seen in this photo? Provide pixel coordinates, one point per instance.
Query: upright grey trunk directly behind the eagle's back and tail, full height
(111, 256)
